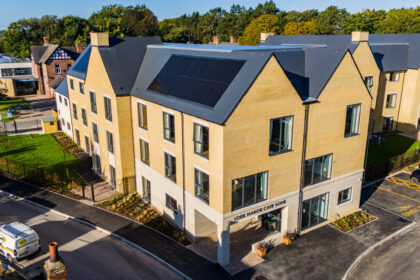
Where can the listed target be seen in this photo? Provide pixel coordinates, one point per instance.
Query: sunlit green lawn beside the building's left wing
(39, 151)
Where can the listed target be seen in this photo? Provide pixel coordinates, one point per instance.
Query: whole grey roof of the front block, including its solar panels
(229, 72)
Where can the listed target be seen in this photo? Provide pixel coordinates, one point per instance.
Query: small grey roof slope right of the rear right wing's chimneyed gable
(390, 57)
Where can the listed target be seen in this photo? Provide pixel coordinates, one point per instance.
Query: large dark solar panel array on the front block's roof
(198, 79)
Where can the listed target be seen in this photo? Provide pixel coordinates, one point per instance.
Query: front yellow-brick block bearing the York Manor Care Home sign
(227, 135)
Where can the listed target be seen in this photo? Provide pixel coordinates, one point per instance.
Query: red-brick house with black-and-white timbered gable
(50, 63)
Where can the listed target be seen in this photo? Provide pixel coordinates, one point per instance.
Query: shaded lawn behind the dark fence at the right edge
(391, 145)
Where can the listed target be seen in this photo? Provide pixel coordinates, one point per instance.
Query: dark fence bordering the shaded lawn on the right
(382, 169)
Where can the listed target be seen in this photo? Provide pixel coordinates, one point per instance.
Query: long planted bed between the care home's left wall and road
(135, 208)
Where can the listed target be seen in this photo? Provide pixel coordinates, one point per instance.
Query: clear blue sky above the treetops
(13, 10)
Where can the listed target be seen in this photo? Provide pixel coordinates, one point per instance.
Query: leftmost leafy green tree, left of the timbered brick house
(20, 35)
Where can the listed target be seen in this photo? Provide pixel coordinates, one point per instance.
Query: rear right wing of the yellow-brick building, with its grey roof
(390, 66)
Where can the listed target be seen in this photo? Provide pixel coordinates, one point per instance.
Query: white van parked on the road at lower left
(18, 241)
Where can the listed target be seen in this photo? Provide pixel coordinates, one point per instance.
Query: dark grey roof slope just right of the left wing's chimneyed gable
(122, 60)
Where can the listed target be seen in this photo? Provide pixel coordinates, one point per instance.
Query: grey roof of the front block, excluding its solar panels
(309, 69)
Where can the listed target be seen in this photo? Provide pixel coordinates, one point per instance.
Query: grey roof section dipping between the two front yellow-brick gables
(310, 69)
